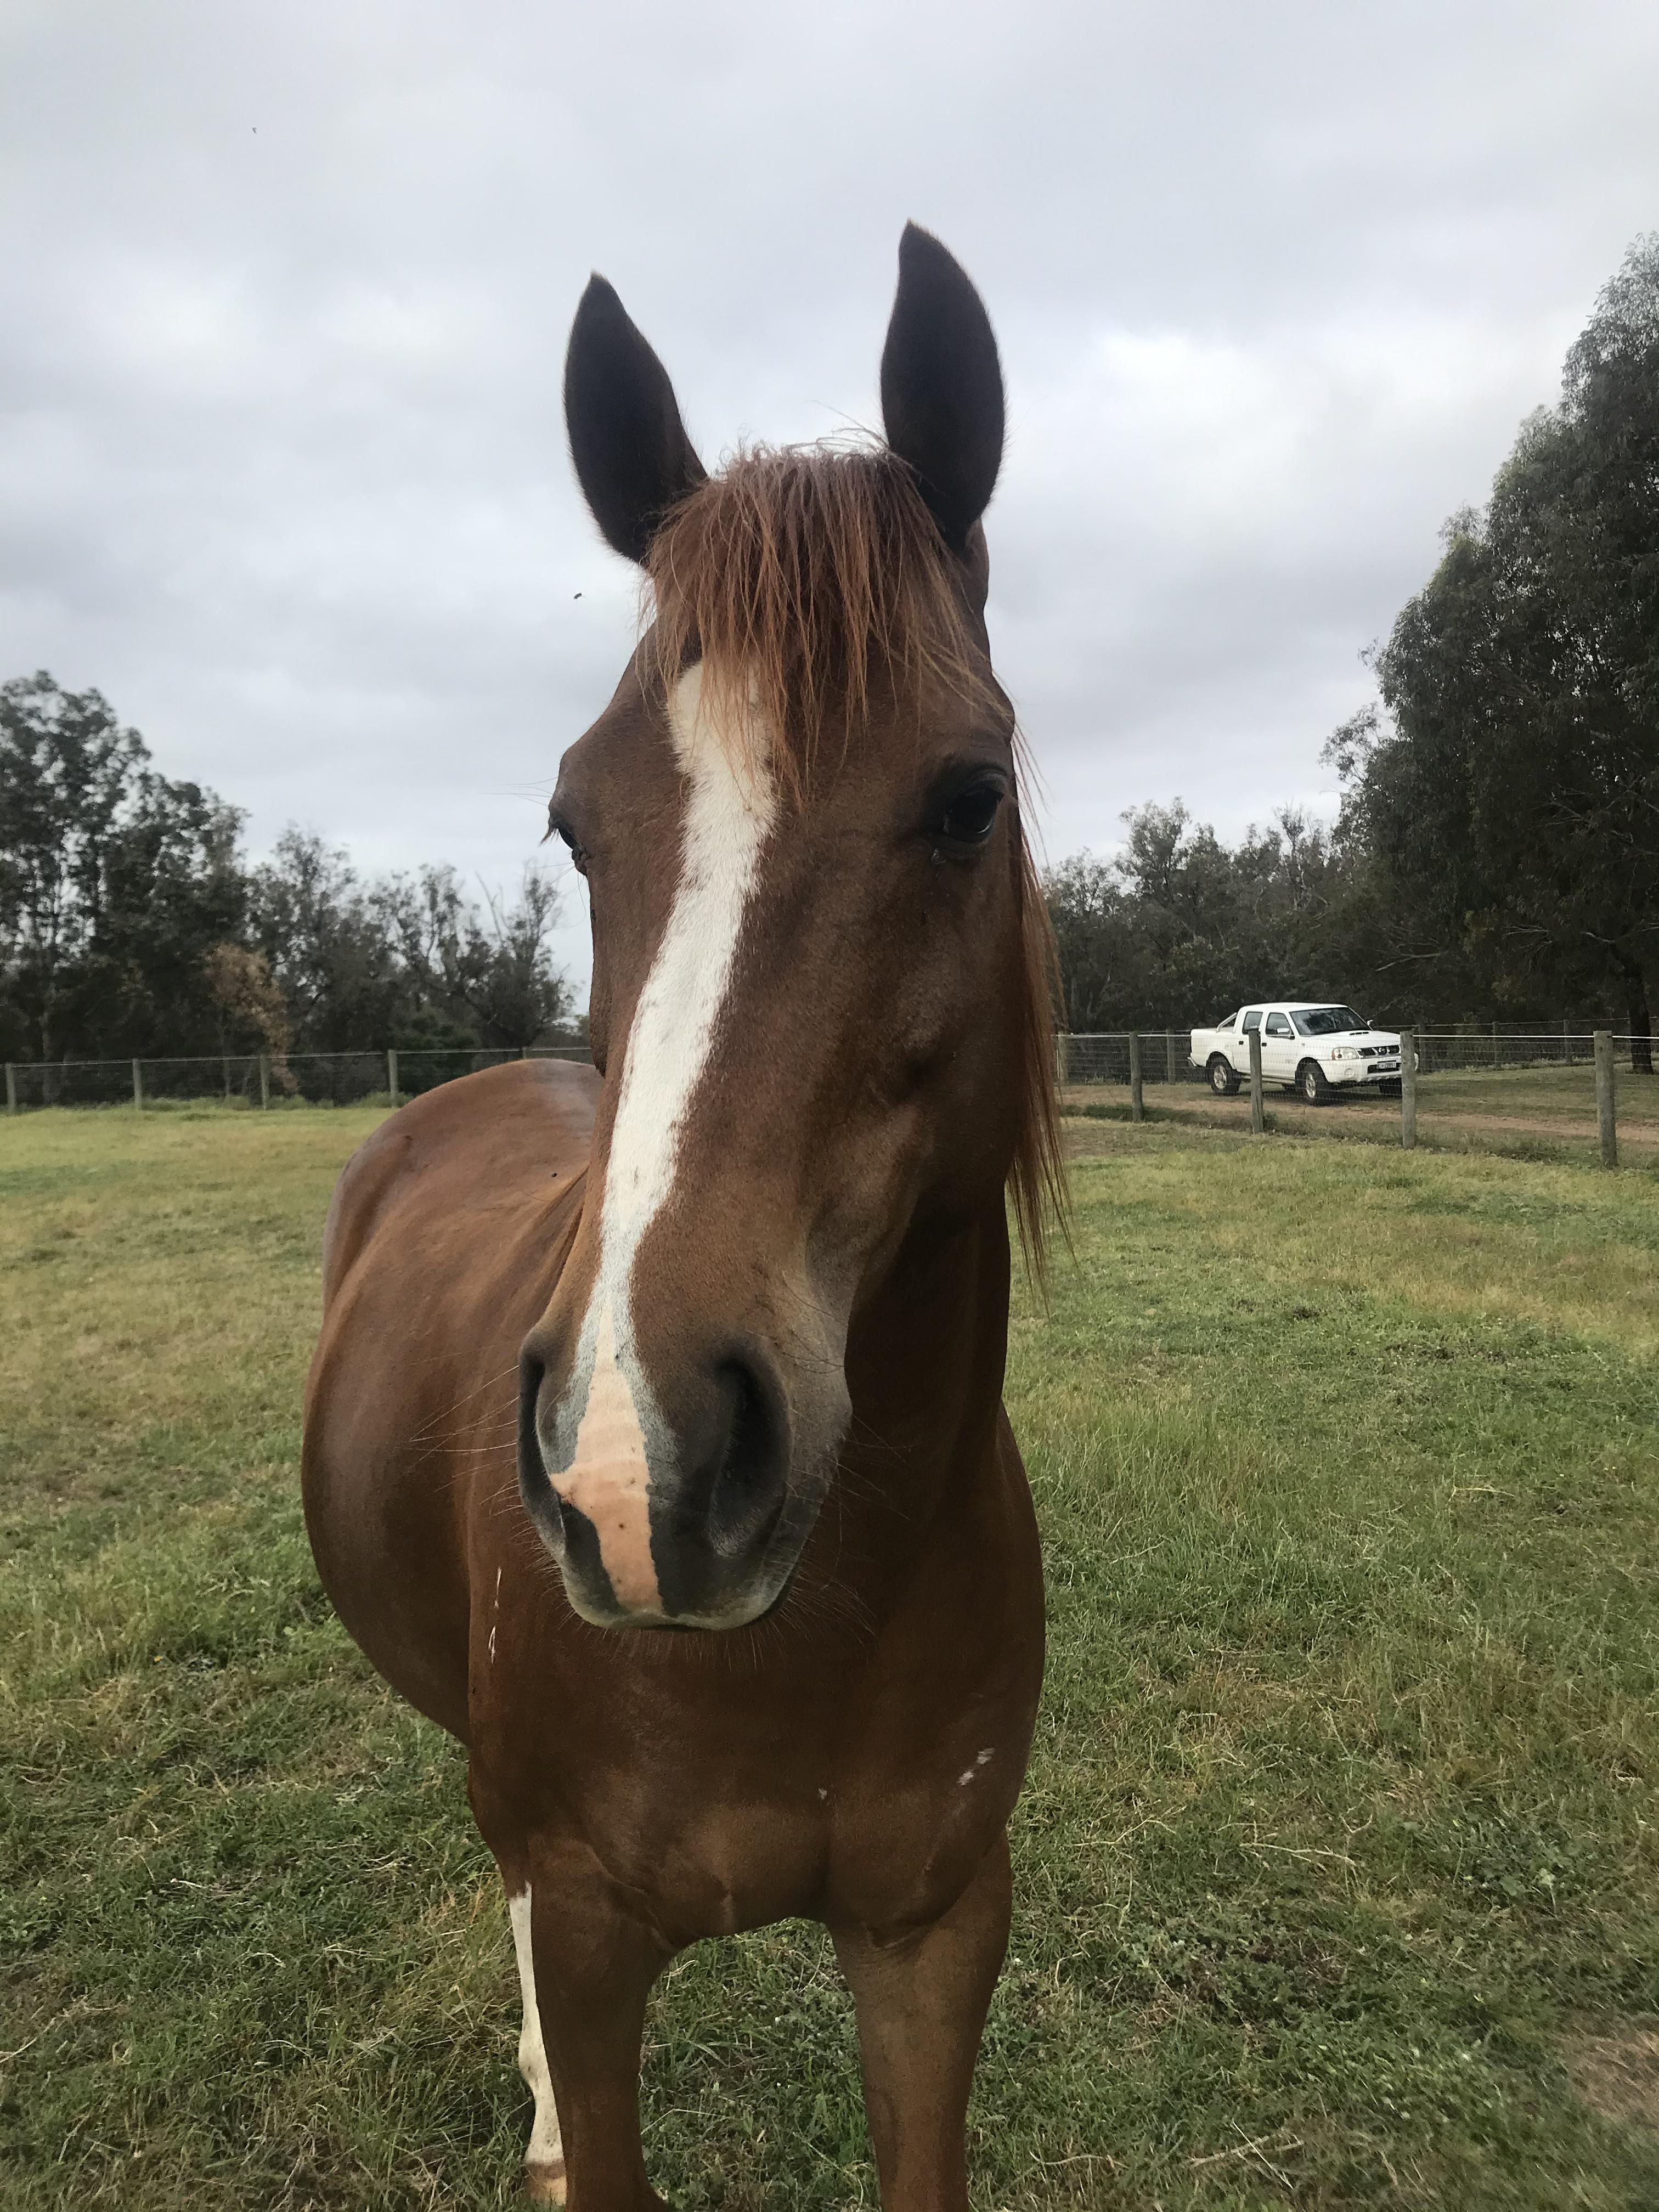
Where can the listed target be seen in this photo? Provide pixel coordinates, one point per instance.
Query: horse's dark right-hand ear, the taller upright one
(941, 386)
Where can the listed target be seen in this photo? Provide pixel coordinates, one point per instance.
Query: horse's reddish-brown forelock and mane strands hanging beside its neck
(802, 578)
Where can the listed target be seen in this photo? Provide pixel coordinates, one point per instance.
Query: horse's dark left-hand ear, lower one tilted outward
(627, 441)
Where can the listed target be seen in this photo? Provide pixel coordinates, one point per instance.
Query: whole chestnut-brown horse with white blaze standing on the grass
(751, 1627)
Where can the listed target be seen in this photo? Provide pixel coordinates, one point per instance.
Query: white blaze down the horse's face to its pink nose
(609, 1426)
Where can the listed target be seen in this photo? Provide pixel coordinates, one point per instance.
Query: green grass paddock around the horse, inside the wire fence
(1337, 1872)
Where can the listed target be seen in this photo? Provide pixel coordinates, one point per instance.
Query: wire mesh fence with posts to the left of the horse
(258, 1081)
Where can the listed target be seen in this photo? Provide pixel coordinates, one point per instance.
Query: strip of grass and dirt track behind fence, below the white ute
(1527, 1114)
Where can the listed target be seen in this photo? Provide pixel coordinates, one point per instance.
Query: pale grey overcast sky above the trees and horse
(282, 466)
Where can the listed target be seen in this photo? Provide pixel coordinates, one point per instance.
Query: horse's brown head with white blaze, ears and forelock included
(820, 992)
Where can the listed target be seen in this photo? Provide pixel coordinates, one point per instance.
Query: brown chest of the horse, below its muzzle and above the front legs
(716, 1806)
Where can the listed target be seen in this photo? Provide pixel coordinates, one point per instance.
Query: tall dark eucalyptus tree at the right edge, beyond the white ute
(1512, 789)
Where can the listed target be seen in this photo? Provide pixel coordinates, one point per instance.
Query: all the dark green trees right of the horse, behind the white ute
(1496, 855)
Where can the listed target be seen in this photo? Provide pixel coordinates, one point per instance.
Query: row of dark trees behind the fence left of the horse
(132, 921)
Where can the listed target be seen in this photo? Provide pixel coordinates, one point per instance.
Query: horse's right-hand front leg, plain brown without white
(921, 2012)
